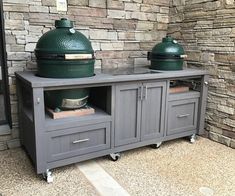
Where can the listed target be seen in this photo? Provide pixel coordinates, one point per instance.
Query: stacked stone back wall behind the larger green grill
(121, 32)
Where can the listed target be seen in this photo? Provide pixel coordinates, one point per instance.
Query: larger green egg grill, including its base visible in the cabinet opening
(65, 53)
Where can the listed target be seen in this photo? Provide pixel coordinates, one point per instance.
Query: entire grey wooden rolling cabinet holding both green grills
(130, 111)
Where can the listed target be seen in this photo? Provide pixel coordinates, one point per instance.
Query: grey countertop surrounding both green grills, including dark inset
(107, 76)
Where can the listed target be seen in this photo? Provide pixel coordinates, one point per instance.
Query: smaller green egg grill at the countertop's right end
(168, 55)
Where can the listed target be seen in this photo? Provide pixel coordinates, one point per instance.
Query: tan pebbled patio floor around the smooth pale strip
(176, 168)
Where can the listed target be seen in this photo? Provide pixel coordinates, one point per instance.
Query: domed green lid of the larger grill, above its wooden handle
(63, 40)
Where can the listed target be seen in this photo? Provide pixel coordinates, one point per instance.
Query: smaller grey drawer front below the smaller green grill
(182, 116)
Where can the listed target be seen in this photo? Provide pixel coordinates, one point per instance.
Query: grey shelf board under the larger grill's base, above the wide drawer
(63, 123)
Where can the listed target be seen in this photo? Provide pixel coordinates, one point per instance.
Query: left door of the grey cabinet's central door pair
(127, 114)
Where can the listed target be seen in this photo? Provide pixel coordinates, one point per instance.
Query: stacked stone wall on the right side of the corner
(206, 28)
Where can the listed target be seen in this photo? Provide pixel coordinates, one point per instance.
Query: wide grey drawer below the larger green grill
(76, 141)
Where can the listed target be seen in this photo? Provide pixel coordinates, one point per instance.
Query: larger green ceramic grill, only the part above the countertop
(64, 53)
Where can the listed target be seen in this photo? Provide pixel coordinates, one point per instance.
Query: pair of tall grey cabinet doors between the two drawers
(139, 112)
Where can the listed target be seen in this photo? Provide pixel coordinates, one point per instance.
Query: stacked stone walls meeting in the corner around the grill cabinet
(205, 28)
